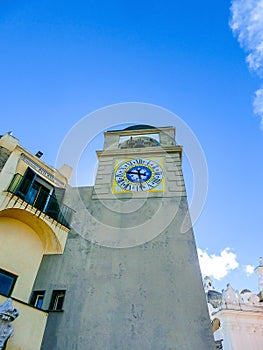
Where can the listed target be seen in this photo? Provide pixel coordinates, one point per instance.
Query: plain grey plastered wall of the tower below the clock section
(144, 297)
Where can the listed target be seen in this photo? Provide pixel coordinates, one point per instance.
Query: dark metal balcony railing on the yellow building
(41, 199)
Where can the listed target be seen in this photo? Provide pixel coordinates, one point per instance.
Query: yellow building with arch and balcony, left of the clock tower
(33, 222)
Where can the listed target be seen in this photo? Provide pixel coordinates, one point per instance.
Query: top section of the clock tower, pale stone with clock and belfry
(140, 159)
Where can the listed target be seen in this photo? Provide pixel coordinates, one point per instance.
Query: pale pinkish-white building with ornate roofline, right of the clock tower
(237, 317)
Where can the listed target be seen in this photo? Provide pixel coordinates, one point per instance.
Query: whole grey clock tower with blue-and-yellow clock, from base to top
(130, 268)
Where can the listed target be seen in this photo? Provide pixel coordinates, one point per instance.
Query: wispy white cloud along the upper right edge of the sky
(247, 24)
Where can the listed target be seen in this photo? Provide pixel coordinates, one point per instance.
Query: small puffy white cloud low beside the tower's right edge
(217, 266)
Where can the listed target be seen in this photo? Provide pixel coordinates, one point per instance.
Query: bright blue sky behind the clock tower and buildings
(62, 60)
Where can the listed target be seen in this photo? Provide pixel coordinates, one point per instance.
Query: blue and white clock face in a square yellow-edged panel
(136, 175)
